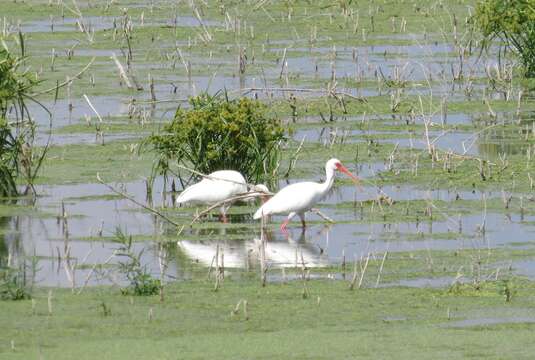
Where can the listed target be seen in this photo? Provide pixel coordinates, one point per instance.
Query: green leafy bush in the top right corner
(513, 21)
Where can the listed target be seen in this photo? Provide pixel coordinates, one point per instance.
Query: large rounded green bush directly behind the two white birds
(218, 133)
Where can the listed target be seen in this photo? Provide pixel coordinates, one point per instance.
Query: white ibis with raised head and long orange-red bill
(298, 198)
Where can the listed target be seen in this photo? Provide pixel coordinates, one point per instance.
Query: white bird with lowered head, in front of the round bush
(217, 187)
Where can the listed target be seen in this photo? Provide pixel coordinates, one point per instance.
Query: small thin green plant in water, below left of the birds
(142, 283)
